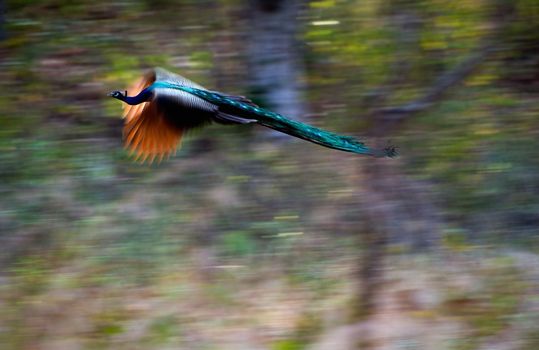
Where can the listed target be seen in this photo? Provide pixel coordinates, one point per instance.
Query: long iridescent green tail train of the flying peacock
(288, 126)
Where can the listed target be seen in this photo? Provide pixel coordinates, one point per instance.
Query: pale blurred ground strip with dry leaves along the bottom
(479, 299)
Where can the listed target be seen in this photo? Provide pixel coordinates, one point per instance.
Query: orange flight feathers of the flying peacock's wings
(146, 131)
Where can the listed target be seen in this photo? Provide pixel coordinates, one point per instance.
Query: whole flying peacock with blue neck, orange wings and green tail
(162, 106)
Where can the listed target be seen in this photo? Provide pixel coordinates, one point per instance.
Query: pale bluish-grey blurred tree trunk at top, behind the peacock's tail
(275, 69)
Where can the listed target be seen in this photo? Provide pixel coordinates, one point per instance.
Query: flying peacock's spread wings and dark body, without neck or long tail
(154, 129)
